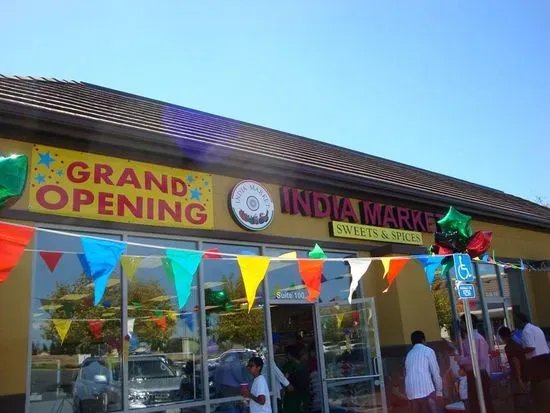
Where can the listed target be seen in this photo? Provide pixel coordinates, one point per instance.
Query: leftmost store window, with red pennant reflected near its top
(76, 346)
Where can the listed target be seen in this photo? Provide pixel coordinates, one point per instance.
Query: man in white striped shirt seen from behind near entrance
(423, 384)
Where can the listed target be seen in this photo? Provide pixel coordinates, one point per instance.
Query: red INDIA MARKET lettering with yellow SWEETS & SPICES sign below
(360, 219)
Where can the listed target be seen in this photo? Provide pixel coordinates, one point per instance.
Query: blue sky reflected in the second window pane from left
(159, 275)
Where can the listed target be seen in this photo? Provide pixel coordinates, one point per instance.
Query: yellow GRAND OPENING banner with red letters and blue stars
(85, 185)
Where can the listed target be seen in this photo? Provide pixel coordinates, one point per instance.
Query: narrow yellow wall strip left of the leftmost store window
(15, 304)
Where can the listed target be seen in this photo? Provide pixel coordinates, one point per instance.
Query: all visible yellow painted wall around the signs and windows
(407, 306)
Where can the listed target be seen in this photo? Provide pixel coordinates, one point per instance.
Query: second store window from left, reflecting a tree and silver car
(164, 364)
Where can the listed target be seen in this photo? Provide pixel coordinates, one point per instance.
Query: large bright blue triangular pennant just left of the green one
(102, 256)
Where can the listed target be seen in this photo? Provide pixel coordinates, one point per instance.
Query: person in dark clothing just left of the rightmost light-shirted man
(518, 369)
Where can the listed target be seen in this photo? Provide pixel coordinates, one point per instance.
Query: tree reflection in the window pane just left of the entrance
(236, 326)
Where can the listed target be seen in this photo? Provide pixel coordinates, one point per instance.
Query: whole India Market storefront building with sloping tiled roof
(122, 167)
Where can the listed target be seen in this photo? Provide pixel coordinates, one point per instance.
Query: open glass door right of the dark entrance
(350, 363)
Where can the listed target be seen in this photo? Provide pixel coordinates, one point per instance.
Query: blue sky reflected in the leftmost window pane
(68, 270)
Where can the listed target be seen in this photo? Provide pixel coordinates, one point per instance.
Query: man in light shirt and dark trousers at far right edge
(535, 348)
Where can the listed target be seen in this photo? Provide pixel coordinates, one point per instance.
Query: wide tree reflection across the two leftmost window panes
(80, 339)
